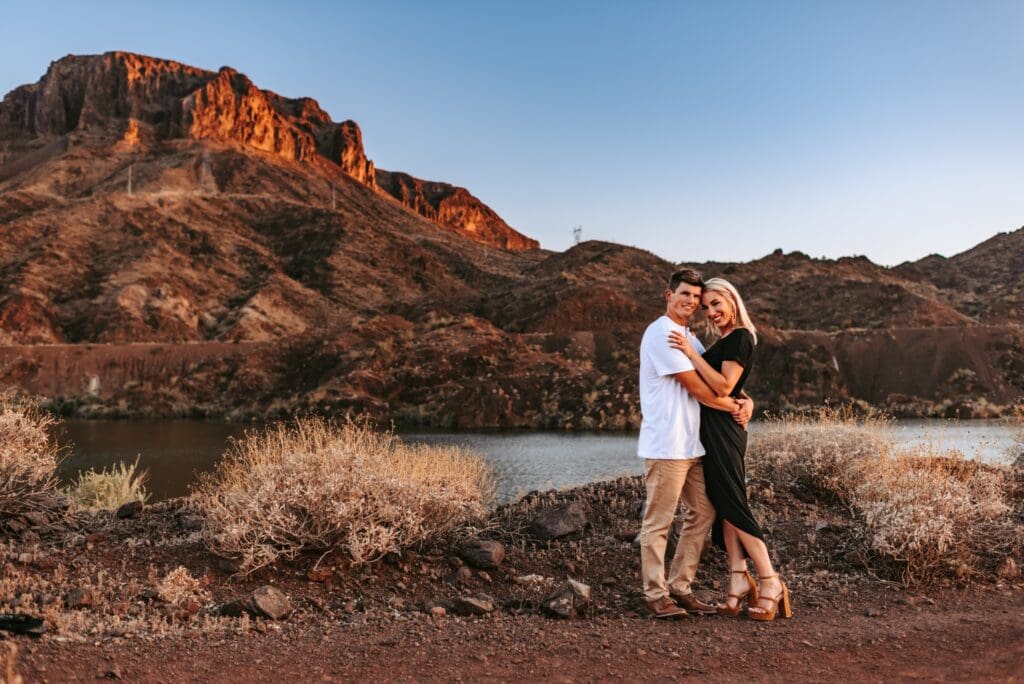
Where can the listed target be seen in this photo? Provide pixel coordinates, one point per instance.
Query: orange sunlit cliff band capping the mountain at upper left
(133, 99)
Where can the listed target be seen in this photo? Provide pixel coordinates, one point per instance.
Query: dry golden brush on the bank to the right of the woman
(925, 516)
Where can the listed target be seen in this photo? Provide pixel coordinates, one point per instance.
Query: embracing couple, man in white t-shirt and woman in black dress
(694, 439)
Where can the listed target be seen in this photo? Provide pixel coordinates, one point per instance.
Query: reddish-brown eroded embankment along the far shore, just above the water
(465, 373)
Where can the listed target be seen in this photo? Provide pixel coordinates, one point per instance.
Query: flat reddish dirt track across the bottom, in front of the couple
(975, 636)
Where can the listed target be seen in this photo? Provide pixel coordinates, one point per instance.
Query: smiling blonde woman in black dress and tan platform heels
(726, 368)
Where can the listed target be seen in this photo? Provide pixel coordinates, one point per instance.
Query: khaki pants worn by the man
(666, 481)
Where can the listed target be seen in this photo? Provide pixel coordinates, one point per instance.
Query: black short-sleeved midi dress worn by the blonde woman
(726, 444)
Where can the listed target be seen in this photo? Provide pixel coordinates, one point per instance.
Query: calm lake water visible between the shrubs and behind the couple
(174, 452)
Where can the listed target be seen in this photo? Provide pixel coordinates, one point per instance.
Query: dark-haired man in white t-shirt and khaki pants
(671, 393)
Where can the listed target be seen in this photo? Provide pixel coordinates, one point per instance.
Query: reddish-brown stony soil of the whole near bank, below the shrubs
(375, 623)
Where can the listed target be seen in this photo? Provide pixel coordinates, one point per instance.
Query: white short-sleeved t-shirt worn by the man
(671, 426)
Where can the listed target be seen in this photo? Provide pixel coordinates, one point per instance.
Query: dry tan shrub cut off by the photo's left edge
(28, 457)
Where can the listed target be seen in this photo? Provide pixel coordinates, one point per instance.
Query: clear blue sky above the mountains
(697, 131)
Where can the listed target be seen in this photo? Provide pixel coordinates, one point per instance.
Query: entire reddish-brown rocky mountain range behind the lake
(176, 241)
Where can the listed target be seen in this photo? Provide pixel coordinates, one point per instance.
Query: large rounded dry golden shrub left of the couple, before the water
(315, 487)
